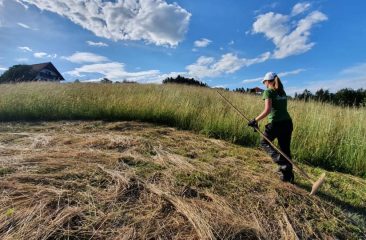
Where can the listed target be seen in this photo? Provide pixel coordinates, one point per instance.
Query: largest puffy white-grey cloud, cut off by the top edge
(154, 21)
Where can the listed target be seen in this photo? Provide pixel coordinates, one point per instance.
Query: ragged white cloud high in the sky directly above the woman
(289, 38)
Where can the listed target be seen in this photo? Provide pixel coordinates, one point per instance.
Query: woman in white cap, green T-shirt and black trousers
(279, 126)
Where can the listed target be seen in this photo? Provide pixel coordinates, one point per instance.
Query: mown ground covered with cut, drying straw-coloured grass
(130, 180)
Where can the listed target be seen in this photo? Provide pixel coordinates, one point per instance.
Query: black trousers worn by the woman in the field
(282, 131)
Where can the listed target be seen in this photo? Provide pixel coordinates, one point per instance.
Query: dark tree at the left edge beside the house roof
(17, 73)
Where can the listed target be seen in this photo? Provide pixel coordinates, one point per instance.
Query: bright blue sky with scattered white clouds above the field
(230, 44)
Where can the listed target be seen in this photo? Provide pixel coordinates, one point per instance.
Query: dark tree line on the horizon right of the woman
(343, 97)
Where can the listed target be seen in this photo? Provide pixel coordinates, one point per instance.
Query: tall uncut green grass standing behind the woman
(324, 135)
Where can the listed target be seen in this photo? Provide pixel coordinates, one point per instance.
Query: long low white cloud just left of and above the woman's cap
(228, 63)
